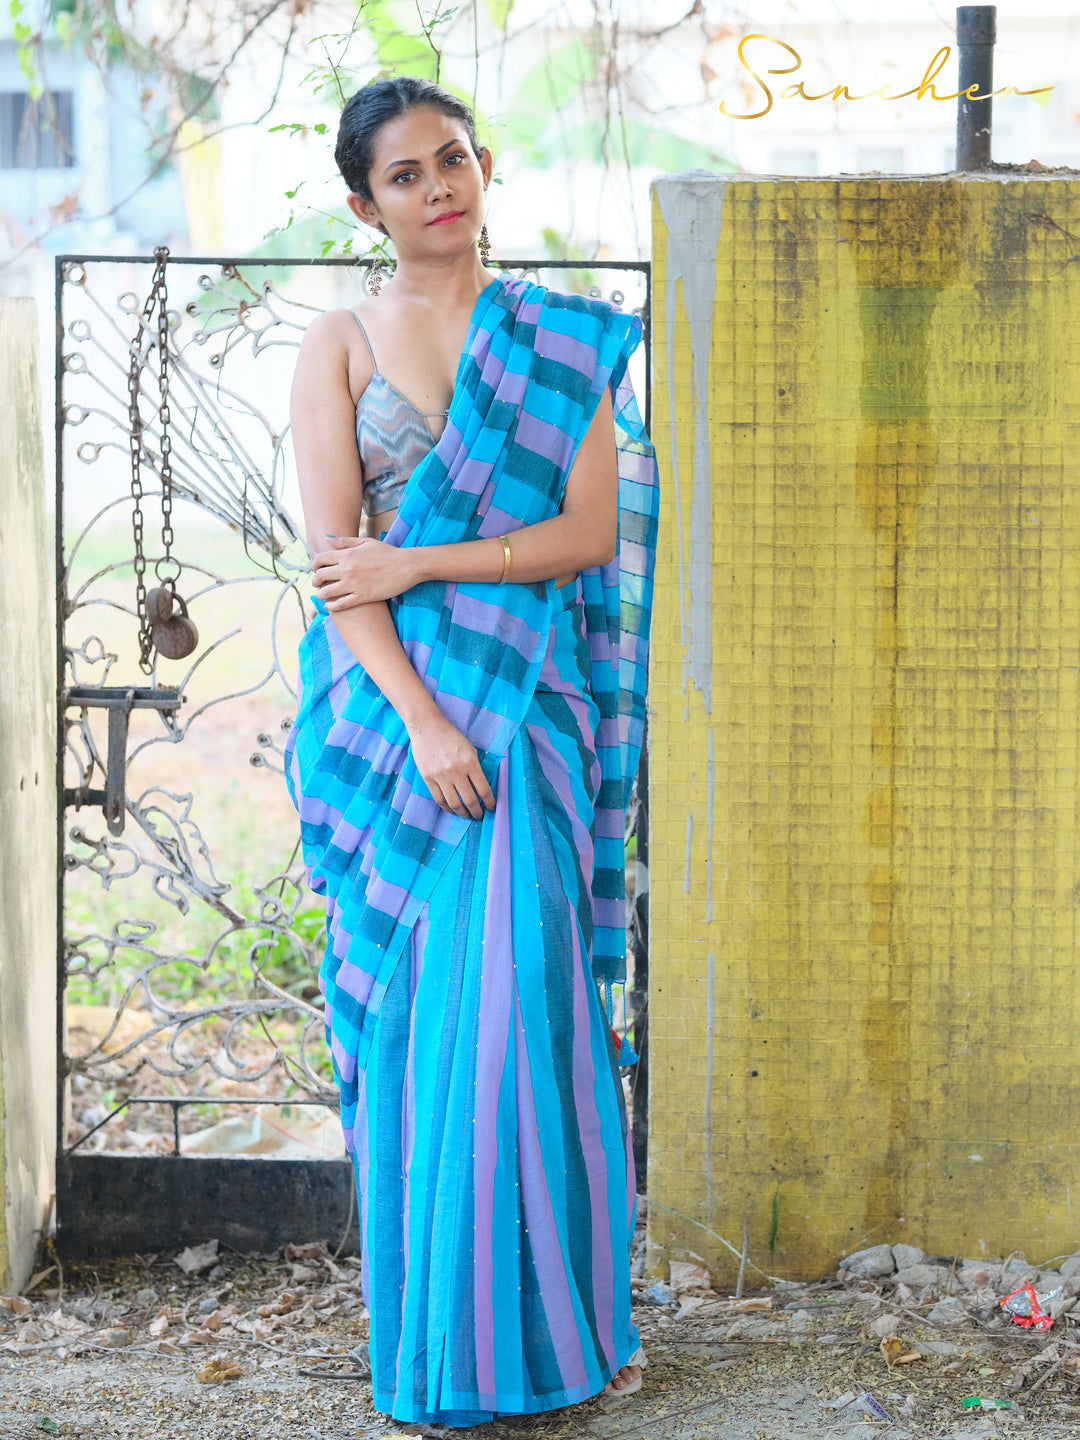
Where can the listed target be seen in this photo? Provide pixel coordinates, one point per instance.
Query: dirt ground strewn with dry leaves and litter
(142, 1349)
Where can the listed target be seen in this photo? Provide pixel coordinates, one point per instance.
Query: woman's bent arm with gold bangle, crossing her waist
(585, 534)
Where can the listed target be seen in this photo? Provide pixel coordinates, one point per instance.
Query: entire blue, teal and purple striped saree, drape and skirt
(480, 1097)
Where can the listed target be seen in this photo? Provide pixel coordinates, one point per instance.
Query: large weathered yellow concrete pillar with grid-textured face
(866, 719)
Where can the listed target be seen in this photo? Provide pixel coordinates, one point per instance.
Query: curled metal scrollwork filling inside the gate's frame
(191, 941)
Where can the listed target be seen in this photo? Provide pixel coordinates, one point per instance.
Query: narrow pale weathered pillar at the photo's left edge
(28, 811)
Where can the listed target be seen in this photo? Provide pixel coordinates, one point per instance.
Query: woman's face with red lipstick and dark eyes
(424, 168)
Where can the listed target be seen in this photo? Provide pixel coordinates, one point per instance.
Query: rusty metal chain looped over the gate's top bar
(159, 297)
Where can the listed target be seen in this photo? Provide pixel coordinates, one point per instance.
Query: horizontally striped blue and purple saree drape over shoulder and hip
(375, 843)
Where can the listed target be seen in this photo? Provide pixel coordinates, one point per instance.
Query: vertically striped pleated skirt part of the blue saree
(493, 1161)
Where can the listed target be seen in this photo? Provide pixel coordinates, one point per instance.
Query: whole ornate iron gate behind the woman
(189, 1016)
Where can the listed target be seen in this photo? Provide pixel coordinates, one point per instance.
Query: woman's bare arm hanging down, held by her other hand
(323, 421)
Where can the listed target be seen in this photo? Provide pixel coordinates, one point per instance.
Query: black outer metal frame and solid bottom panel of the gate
(112, 1205)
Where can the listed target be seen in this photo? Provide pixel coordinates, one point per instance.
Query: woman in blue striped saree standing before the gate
(472, 699)
